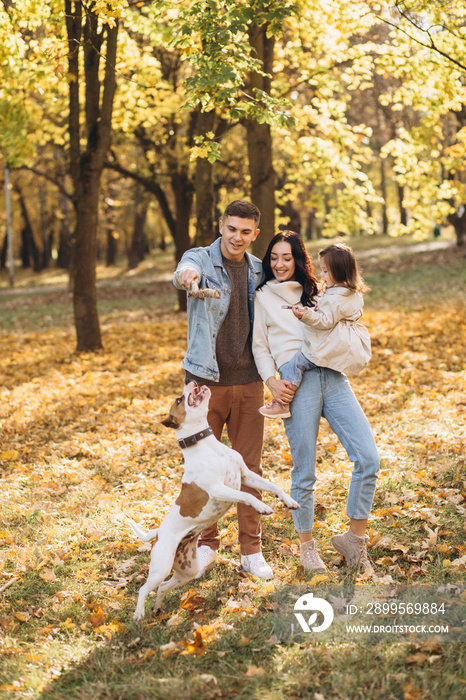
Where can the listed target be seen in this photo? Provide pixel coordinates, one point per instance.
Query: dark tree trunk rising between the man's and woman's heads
(259, 138)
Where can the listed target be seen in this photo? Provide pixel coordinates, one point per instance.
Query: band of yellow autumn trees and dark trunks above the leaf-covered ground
(128, 126)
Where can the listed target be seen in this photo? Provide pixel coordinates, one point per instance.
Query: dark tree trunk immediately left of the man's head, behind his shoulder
(204, 187)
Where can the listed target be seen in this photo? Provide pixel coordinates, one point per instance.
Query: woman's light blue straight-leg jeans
(324, 392)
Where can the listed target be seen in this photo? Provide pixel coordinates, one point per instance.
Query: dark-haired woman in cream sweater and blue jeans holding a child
(277, 335)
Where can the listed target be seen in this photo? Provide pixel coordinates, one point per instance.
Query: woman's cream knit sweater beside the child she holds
(277, 333)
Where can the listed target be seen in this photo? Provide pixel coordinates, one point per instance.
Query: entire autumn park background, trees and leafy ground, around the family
(125, 128)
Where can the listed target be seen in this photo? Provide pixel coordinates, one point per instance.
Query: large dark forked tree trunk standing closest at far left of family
(86, 162)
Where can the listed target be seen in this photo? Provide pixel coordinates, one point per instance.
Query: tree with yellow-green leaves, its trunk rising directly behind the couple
(229, 47)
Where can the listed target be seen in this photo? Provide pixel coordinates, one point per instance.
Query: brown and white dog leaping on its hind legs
(213, 475)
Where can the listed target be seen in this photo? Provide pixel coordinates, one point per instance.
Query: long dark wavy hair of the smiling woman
(304, 273)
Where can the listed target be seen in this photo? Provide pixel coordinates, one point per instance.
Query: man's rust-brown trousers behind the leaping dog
(237, 408)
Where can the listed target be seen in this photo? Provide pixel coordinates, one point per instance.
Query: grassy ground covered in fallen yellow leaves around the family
(82, 448)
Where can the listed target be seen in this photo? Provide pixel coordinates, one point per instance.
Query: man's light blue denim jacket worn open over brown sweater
(206, 316)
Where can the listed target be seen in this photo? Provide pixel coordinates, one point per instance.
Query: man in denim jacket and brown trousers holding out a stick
(219, 354)
